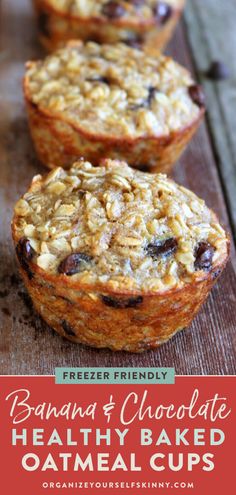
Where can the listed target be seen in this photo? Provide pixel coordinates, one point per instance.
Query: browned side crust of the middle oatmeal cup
(59, 143)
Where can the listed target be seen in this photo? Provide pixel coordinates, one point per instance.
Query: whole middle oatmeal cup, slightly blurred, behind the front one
(94, 101)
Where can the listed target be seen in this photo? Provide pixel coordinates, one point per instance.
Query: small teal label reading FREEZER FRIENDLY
(124, 376)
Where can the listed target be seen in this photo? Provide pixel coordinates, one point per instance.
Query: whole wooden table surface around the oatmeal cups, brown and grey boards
(29, 346)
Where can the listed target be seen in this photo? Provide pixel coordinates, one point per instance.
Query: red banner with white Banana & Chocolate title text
(117, 439)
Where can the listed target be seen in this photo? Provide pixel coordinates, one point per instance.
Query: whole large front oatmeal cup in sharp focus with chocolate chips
(114, 257)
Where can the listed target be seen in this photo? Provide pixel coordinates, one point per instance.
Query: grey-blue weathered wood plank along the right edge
(212, 35)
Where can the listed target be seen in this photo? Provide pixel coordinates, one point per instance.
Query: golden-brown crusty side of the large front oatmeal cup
(85, 320)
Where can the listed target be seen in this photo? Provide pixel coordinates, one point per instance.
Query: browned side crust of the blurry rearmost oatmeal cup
(57, 27)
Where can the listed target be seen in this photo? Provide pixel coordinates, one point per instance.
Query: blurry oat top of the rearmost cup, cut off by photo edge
(131, 10)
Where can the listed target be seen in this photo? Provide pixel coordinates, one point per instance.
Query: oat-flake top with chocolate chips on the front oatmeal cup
(123, 229)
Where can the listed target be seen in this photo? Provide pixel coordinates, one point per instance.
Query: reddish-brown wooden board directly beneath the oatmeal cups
(27, 345)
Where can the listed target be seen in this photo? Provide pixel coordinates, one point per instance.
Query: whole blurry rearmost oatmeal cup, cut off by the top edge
(149, 23)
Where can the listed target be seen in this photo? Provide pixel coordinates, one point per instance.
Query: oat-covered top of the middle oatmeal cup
(115, 90)
